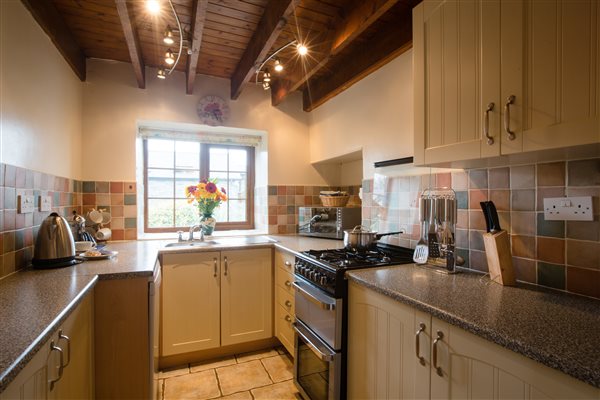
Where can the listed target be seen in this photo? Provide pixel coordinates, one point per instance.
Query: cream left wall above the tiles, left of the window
(40, 98)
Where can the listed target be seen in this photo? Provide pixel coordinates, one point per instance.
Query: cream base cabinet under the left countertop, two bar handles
(44, 377)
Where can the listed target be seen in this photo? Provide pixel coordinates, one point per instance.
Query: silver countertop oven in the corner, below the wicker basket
(327, 222)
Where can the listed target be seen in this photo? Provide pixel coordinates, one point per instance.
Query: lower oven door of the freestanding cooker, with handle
(317, 367)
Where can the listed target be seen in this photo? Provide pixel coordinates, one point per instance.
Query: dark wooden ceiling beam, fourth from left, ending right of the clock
(269, 28)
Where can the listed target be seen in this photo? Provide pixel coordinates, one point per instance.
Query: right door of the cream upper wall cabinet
(550, 55)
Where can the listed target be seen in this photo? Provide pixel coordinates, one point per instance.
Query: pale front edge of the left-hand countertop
(13, 370)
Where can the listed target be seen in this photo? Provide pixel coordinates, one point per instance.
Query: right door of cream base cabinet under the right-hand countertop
(473, 368)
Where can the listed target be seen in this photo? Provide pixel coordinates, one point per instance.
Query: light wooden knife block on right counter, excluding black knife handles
(499, 257)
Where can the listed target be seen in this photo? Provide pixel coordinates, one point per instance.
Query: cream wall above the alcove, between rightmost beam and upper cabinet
(375, 115)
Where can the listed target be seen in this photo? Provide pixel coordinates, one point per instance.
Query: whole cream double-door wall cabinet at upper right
(495, 78)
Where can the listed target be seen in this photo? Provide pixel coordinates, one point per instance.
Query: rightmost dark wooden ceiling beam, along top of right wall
(380, 49)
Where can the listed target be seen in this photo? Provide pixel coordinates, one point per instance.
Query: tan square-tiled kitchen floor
(258, 375)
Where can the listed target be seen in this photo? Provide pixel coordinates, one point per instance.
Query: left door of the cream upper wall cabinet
(456, 69)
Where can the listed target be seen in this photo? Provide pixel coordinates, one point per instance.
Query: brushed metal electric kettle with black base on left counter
(54, 246)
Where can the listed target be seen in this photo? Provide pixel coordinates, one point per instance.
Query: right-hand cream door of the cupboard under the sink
(246, 295)
